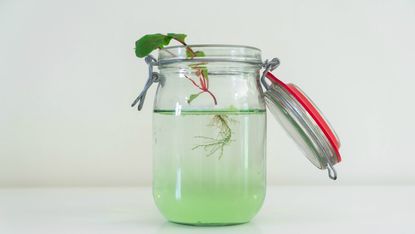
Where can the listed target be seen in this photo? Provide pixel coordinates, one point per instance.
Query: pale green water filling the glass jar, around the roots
(191, 185)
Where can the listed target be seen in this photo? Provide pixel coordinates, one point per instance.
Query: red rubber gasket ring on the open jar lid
(312, 110)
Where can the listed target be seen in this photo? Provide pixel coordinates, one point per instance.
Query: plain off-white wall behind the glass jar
(68, 74)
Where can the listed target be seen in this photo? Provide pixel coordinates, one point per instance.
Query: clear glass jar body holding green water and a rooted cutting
(209, 135)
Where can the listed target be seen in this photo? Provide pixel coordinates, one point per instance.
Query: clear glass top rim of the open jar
(211, 53)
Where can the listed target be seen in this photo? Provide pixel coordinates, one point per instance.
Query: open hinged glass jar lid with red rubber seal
(303, 121)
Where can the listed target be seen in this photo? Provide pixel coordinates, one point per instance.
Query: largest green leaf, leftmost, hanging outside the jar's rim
(150, 42)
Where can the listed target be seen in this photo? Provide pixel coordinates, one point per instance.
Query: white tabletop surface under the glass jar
(287, 209)
